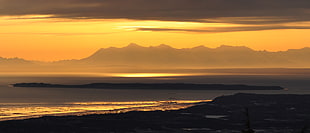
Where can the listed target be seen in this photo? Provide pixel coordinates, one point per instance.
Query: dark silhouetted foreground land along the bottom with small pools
(226, 114)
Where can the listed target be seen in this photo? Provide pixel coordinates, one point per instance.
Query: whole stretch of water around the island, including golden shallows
(18, 103)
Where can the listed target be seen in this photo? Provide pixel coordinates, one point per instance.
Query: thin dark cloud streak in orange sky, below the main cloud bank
(225, 29)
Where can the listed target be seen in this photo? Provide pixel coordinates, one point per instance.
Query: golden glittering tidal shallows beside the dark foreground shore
(23, 111)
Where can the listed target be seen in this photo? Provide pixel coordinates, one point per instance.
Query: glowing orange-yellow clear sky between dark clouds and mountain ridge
(50, 39)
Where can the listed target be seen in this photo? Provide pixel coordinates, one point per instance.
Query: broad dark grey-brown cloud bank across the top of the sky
(266, 11)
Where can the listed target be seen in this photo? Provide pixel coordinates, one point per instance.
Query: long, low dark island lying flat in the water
(173, 86)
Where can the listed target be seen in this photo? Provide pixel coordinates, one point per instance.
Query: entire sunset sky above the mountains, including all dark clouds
(50, 30)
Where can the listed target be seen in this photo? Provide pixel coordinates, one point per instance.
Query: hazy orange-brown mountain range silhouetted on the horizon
(164, 56)
